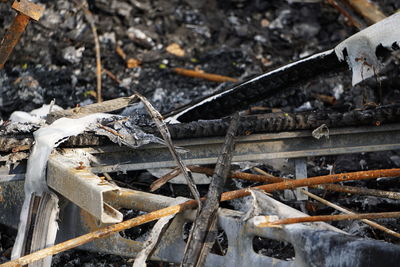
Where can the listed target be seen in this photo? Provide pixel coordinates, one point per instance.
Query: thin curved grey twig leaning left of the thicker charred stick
(162, 127)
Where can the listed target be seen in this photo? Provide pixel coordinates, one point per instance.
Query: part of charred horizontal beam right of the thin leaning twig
(277, 122)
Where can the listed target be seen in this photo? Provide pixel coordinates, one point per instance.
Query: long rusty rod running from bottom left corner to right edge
(155, 215)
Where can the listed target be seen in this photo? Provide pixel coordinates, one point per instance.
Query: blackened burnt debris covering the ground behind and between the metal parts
(55, 59)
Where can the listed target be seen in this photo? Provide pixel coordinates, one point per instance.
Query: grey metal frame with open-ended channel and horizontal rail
(95, 201)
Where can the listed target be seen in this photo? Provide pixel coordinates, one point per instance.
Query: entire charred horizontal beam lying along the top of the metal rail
(271, 122)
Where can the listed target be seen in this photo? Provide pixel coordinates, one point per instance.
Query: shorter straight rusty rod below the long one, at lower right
(327, 218)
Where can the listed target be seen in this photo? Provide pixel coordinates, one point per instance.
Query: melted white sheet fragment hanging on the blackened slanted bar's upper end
(359, 50)
